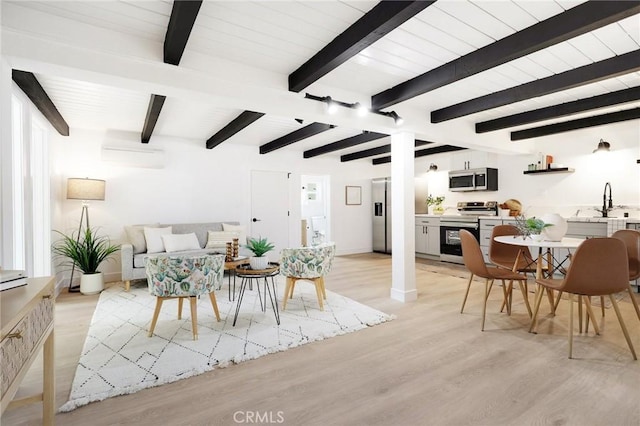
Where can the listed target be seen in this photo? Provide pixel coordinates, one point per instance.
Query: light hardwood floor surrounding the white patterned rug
(429, 366)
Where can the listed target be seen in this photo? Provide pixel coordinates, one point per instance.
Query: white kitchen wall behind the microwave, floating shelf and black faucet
(559, 192)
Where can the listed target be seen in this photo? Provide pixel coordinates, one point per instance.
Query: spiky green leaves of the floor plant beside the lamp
(86, 251)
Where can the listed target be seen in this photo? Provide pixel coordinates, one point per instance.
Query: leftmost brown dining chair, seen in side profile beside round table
(473, 260)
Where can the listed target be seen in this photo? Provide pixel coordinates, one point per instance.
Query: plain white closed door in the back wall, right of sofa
(270, 209)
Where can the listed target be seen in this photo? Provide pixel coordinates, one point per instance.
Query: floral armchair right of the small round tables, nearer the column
(306, 263)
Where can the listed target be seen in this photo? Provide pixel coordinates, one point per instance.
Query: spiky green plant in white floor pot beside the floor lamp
(85, 252)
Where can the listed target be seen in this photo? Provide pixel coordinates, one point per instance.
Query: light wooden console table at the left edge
(26, 319)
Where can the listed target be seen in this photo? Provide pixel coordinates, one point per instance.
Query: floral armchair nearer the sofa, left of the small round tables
(184, 277)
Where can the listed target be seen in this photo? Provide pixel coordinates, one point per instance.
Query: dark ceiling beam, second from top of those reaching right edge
(607, 68)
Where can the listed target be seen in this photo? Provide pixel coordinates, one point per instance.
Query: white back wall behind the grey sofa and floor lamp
(198, 185)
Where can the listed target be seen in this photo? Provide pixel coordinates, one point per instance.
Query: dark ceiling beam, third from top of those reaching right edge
(560, 110)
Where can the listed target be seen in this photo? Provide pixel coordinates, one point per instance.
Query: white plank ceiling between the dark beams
(255, 45)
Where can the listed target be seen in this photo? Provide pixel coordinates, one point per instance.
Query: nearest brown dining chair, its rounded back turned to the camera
(599, 267)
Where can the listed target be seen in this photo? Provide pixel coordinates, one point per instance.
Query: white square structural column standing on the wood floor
(403, 286)
